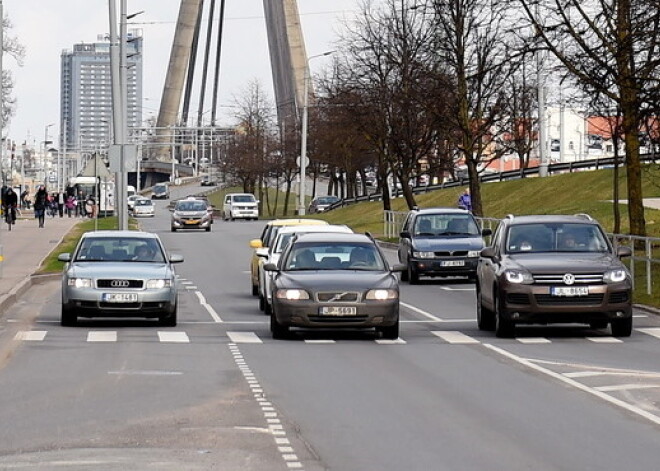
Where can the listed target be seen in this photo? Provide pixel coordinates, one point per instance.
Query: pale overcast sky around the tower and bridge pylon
(47, 27)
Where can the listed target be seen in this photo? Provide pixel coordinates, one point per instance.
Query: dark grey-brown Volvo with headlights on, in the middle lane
(334, 281)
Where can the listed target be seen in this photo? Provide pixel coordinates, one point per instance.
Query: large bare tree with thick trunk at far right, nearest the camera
(610, 47)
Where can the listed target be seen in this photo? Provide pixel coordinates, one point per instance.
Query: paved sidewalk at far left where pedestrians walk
(23, 250)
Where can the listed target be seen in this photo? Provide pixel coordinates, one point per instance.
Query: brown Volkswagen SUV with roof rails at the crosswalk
(550, 269)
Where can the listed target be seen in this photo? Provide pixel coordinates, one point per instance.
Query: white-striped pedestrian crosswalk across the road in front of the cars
(448, 337)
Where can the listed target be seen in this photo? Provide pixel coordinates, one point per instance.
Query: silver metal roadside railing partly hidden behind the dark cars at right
(642, 247)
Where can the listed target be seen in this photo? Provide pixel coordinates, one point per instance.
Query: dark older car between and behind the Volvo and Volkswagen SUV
(440, 242)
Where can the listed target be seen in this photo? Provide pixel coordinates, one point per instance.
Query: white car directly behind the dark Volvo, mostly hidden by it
(272, 254)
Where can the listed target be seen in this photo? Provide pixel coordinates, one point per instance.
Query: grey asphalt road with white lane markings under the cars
(216, 392)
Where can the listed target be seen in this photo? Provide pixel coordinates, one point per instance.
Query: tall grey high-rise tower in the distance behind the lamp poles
(86, 93)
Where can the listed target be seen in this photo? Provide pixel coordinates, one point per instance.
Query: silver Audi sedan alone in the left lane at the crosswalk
(119, 274)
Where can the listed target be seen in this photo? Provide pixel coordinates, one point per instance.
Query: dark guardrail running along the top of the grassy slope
(570, 167)
